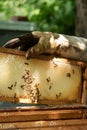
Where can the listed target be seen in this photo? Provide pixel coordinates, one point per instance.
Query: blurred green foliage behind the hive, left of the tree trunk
(49, 15)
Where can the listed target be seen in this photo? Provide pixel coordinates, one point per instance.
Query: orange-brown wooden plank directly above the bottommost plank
(16, 116)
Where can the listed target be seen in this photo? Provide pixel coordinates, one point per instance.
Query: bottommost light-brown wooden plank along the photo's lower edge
(47, 125)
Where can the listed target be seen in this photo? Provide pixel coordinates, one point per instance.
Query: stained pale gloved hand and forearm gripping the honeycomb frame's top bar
(60, 45)
